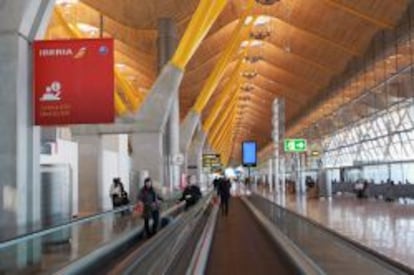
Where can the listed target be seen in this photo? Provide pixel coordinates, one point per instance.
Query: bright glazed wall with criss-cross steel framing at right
(385, 136)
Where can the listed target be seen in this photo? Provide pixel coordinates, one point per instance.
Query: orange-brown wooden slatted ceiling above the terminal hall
(304, 52)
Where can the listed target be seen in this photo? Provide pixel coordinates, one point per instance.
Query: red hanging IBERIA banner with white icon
(74, 81)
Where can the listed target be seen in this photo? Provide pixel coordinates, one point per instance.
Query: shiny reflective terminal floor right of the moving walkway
(387, 227)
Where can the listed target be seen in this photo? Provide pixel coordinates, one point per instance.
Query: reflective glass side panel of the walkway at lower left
(49, 253)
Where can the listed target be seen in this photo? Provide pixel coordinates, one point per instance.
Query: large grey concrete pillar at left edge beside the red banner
(20, 23)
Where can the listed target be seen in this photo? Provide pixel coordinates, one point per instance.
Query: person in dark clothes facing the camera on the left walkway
(150, 201)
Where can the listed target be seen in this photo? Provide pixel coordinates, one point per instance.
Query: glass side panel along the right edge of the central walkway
(332, 252)
